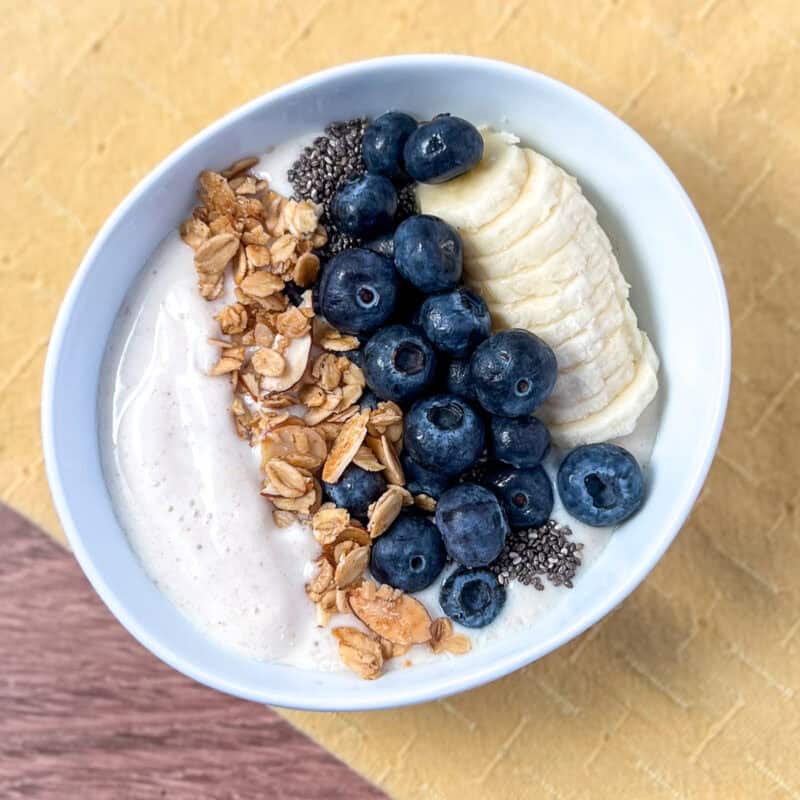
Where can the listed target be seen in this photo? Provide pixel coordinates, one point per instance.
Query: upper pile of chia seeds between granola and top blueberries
(328, 162)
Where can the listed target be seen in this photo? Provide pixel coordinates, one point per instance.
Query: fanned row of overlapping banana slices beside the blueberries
(534, 250)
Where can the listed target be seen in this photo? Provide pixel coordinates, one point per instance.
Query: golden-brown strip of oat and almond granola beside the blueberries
(296, 397)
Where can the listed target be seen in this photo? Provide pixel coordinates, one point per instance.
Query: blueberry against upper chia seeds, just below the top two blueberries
(364, 206)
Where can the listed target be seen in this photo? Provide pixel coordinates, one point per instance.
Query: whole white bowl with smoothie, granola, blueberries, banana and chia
(349, 409)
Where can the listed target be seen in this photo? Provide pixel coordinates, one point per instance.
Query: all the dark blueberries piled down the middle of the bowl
(470, 440)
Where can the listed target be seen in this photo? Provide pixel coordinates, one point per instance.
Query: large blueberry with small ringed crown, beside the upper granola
(358, 291)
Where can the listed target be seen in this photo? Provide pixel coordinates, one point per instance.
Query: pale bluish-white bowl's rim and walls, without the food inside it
(663, 249)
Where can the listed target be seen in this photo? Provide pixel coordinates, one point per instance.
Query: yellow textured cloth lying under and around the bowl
(690, 689)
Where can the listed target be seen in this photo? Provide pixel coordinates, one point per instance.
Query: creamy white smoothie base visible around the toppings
(186, 489)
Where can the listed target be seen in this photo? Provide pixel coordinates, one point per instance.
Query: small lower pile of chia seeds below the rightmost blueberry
(530, 553)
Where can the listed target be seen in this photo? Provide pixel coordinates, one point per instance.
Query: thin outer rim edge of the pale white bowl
(479, 675)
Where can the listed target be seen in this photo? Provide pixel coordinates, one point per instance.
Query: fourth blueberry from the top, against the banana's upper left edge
(428, 253)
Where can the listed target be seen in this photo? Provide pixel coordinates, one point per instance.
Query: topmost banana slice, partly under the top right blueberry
(480, 195)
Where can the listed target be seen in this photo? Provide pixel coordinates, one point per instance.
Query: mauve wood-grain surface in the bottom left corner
(87, 712)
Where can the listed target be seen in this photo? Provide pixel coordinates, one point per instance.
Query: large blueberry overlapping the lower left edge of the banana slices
(514, 372)
